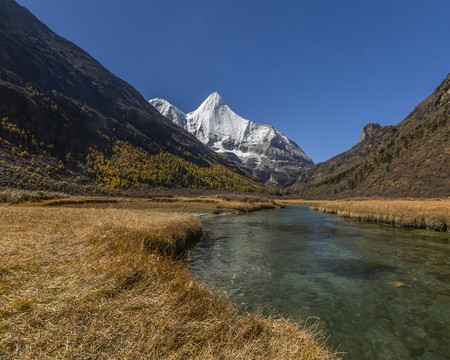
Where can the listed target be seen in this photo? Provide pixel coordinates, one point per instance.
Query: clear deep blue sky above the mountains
(317, 70)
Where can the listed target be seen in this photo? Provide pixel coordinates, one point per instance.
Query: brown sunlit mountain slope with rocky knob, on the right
(410, 159)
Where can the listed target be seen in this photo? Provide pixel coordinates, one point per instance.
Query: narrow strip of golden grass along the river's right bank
(421, 214)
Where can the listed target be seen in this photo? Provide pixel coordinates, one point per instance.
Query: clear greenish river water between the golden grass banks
(380, 292)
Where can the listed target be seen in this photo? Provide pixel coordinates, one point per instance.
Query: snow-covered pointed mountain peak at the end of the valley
(259, 149)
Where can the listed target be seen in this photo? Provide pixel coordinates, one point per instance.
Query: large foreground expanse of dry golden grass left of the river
(98, 283)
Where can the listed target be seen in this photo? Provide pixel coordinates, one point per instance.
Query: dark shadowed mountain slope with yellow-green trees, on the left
(58, 104)
